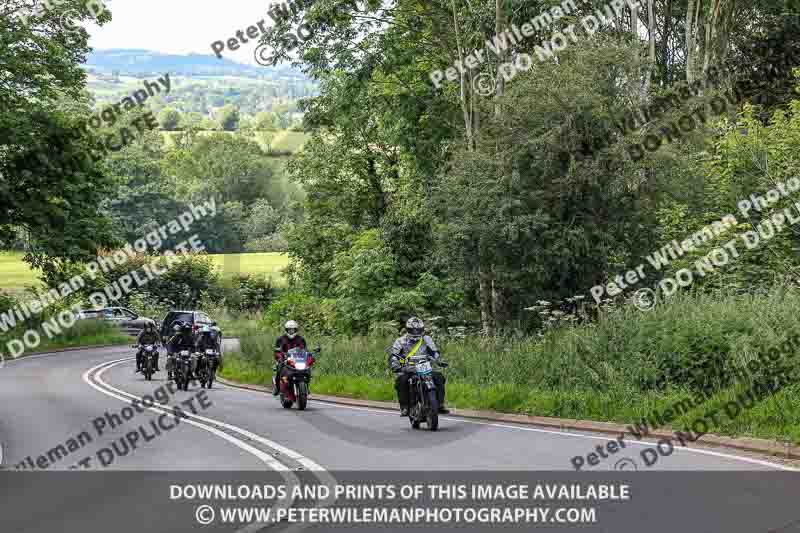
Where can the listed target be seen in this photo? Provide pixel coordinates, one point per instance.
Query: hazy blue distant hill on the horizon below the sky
(132, 62)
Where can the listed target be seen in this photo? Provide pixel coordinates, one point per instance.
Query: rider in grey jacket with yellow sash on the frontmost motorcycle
(414, 342)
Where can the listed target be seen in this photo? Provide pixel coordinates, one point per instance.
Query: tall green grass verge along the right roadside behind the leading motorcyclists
(618, 369)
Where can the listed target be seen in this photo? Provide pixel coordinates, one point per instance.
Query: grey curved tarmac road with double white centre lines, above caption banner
(47, 400)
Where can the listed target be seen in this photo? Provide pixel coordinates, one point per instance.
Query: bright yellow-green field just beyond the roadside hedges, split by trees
(15, 274)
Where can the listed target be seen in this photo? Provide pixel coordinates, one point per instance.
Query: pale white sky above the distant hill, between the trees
(179, 26)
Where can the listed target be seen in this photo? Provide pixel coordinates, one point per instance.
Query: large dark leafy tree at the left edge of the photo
(50, 182)
